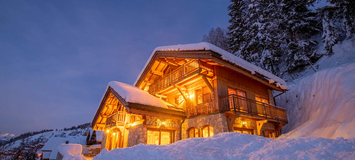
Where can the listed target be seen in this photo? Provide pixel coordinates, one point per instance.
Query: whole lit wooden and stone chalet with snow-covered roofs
(186, 91)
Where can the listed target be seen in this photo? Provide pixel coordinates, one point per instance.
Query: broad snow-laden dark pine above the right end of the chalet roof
(298, 24)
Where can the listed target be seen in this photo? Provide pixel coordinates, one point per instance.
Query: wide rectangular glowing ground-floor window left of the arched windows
(159, 137)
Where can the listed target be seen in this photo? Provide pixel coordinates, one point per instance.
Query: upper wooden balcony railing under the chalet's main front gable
(175, 76)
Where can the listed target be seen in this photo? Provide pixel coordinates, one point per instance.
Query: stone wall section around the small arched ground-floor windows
(217, 120)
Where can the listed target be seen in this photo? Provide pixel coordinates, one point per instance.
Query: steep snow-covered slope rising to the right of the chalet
(322, 104)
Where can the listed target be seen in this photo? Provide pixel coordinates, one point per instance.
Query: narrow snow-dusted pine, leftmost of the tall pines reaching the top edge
(238, 12)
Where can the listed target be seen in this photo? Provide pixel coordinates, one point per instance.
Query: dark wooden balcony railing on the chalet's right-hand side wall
(252, 107)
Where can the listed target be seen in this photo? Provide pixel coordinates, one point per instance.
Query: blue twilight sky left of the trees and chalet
(57, 57)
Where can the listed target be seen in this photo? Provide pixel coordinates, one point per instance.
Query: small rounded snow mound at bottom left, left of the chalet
(71, 151)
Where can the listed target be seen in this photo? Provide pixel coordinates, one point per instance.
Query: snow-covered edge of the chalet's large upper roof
(225, 56)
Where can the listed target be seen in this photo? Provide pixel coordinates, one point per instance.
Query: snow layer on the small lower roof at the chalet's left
(135, 95)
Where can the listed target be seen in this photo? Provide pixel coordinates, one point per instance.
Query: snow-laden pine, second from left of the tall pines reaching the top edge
(264, 45)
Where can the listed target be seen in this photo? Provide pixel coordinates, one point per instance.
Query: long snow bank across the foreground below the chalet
(239, 146)
